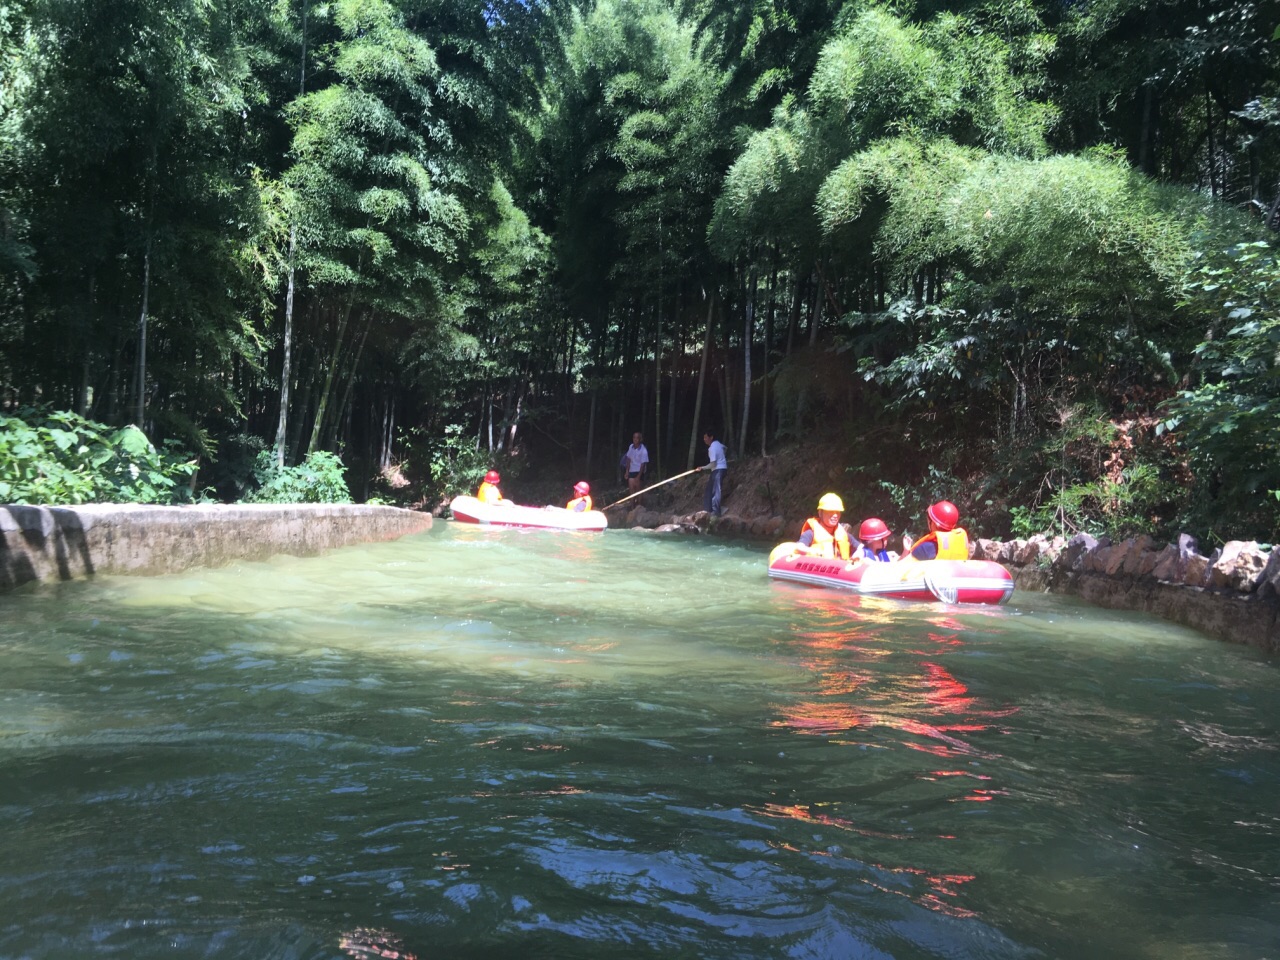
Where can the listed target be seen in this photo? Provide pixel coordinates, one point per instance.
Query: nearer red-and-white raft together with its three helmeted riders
(934, 568)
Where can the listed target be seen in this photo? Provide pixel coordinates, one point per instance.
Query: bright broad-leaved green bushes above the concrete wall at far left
(56, 458)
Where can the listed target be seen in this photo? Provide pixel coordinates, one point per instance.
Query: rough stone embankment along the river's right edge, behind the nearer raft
(1232, 595)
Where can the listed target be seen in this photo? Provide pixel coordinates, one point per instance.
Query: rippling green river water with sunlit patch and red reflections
(509, 744)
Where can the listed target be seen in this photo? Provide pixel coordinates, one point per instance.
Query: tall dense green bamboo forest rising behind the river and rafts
(1023, 253)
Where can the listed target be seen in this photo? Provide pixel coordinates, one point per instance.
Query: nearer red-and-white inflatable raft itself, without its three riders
(950, 582)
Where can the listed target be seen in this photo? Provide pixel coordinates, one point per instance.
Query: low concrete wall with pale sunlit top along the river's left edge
(63, 543)
